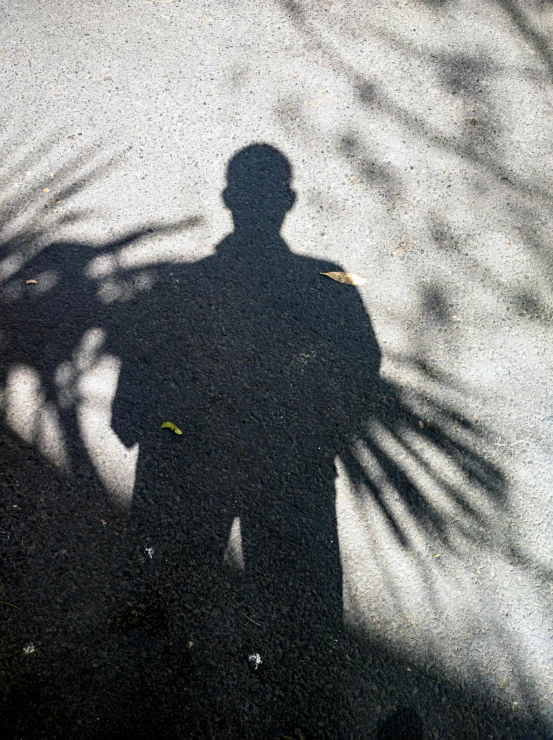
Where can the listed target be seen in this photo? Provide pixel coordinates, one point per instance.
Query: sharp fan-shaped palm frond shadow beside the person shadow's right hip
(422, 462)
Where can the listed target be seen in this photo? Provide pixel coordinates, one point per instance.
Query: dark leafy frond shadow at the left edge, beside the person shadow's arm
(51, 332)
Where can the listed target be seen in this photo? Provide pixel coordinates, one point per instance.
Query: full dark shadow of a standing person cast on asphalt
(267, 368)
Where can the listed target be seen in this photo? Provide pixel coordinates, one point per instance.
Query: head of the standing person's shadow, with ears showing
(258, 191)
